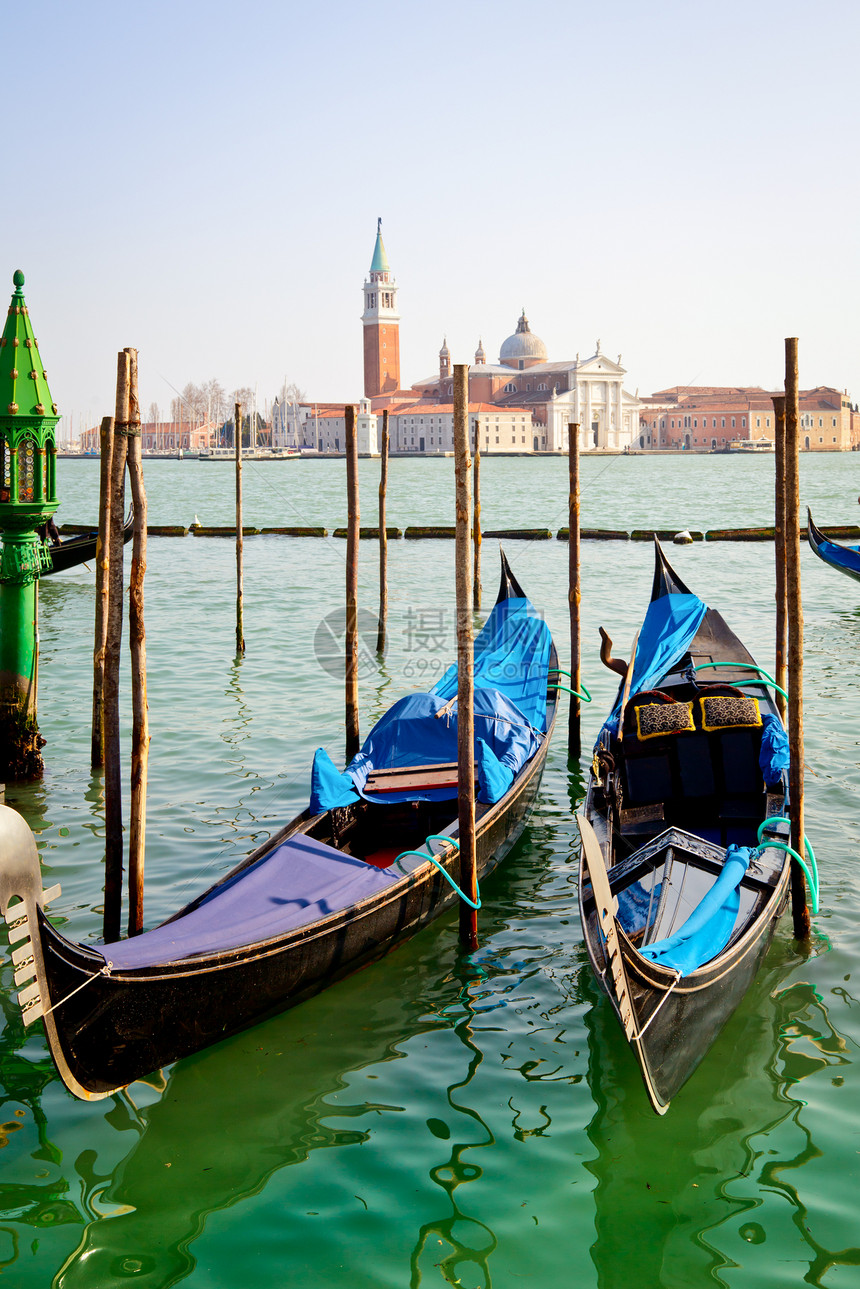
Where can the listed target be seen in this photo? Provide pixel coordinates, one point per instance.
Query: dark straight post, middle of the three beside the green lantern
(113, 646)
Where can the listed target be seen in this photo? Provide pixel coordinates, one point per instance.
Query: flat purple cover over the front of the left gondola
(300, 882)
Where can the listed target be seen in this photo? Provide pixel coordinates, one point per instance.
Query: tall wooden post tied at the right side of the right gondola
(800, 912)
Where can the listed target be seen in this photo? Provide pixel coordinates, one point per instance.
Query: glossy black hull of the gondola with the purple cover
(128, 1024)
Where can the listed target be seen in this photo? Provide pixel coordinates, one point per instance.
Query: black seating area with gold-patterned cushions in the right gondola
(690, 757)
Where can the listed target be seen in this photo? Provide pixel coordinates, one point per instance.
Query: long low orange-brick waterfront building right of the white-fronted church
(712, 418)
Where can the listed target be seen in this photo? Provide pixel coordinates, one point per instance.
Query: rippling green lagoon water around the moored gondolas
(434, 1119)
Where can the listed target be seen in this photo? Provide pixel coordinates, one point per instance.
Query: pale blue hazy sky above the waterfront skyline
(203, 182)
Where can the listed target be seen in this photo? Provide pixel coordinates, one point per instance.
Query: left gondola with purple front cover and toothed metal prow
(332, 890)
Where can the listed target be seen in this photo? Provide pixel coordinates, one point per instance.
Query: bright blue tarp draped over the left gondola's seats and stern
(511, 670)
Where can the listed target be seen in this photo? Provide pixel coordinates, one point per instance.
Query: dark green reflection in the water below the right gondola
(675, 1196)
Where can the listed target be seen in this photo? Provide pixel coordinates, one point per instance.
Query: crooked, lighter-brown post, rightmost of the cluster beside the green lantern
(137, 641)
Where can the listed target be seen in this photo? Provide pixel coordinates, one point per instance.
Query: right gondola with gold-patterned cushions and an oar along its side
(678, 898)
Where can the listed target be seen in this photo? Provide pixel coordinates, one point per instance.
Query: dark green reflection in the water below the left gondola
(229, 1119)
